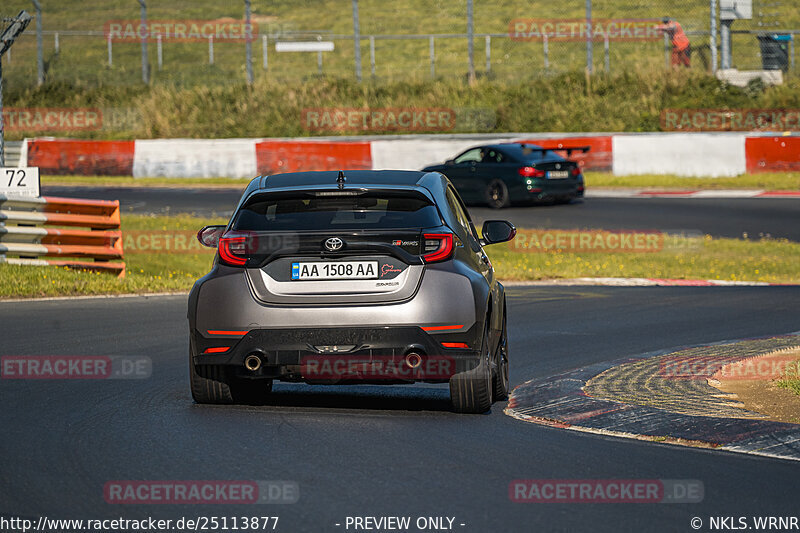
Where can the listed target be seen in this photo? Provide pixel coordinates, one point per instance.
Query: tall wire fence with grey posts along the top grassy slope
(412, 40)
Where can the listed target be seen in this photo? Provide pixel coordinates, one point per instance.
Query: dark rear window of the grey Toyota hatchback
(337, 210)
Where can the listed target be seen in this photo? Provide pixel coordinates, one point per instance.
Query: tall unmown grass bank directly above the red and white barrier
(630, 101)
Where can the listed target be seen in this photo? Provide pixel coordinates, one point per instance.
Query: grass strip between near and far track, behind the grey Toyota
(775, 261)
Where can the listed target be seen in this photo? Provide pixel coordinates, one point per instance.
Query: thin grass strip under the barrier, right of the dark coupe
(765, 180)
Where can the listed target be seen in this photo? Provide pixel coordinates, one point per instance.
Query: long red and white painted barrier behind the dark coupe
(684, 154)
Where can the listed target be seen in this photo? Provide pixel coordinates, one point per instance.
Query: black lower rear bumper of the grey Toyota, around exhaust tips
(340, 355)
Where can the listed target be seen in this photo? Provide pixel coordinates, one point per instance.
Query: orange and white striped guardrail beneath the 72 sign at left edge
(22, 236)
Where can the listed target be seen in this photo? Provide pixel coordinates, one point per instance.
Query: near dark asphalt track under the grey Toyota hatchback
(372, 450)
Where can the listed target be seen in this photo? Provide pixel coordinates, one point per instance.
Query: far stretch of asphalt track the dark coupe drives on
(775, 217)
